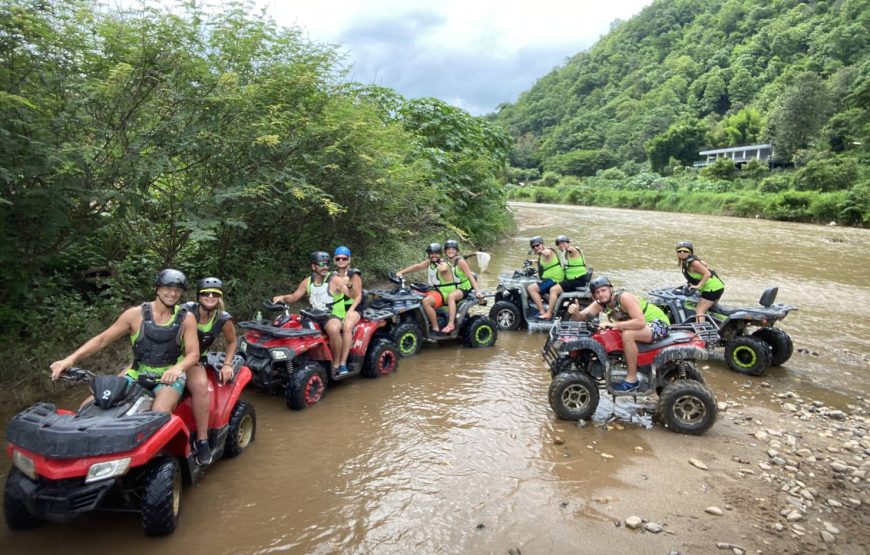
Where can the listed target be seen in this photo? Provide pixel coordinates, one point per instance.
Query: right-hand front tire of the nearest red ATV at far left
(161, 499)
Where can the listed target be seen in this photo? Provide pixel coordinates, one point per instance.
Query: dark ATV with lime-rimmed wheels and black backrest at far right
(751, 342)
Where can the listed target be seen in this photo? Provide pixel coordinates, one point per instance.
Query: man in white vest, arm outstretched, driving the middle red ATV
(325, 292)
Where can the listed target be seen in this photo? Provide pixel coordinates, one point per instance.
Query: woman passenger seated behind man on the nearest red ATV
(211, 320)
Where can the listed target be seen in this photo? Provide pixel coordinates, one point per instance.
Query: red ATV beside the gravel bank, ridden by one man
(584, 359)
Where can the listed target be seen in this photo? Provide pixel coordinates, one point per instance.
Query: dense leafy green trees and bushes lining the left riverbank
(214, 142)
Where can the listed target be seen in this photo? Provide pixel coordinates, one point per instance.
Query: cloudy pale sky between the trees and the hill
(475, 54)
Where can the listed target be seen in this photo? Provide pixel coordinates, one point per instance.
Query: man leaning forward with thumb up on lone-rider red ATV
(639, 320)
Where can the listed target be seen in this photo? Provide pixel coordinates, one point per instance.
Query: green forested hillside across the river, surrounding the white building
(622, 123)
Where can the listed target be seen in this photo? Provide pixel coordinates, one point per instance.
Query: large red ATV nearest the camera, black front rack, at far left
(115, 453)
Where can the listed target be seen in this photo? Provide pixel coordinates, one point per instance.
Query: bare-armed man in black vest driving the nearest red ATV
(164, 341)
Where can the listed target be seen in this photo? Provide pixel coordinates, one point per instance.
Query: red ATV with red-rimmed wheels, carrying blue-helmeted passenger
(290, 356)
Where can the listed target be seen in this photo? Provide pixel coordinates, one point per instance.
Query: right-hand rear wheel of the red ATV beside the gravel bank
(688, 407)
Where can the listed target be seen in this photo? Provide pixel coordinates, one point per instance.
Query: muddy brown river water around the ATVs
(455, 453)
